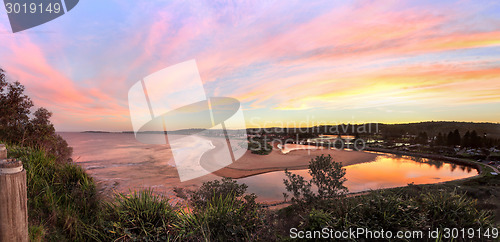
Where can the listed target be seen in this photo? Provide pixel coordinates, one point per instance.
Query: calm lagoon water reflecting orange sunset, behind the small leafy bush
(385, 172)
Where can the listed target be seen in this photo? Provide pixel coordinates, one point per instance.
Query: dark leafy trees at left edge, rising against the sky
(20, 126)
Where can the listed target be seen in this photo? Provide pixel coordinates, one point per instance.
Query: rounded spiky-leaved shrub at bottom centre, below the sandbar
(221, 212)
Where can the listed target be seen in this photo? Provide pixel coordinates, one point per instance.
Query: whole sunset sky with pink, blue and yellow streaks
(286, 61)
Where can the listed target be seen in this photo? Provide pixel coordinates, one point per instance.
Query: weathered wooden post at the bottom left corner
(13, 199)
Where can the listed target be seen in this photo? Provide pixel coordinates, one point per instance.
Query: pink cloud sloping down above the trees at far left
(50, 87)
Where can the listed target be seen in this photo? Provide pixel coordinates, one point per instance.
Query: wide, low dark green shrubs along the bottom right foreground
(397, 211)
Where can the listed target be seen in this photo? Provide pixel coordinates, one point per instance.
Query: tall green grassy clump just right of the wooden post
(62, 198)
